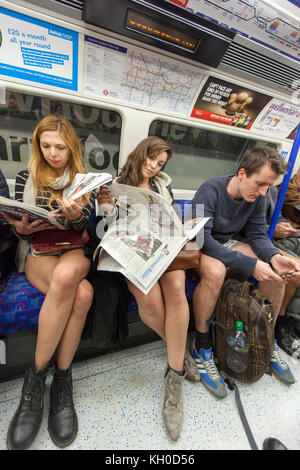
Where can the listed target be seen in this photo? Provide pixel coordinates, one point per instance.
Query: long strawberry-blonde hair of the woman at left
(40, 171)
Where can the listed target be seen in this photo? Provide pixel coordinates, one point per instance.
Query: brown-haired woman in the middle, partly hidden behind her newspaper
(165, 308)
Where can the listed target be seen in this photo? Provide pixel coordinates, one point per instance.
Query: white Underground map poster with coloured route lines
(137, 76)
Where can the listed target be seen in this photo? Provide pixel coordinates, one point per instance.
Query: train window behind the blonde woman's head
(99, 131)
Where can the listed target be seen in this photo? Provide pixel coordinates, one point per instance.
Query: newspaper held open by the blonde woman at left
(82, 184)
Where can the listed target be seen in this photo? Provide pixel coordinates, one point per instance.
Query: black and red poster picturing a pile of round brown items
(226, 103)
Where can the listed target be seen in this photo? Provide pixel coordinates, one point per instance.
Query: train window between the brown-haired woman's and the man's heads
(199, 154)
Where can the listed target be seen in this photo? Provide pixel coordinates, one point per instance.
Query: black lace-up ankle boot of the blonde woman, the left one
(28, 417)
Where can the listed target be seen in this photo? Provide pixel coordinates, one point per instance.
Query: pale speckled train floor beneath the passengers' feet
(118, 398)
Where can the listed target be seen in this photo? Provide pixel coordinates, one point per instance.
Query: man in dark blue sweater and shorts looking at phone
(233, 203)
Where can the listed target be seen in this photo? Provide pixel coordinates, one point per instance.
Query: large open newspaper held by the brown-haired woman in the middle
(142, 244)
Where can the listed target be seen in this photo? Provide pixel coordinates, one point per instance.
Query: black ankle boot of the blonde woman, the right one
(62, 423)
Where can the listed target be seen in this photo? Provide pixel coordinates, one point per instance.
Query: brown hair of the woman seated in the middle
(131, 173)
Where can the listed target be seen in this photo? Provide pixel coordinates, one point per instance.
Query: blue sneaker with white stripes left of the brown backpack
(208, 371)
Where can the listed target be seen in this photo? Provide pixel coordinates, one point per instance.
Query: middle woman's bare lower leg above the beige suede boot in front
(177, 316)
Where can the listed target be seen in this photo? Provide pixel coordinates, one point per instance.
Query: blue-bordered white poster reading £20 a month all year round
(34, 50)
